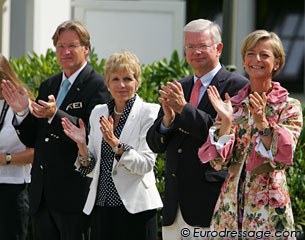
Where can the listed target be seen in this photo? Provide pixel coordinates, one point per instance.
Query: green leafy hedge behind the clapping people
(33, 69)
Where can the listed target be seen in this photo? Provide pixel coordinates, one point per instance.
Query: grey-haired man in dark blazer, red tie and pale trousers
(191, 188)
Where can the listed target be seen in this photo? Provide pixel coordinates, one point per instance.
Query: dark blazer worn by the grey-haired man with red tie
(188, 182)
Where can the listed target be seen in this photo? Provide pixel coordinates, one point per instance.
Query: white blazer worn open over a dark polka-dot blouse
(133, 174)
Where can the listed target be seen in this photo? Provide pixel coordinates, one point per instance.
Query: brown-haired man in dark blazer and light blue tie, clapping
(58, 192)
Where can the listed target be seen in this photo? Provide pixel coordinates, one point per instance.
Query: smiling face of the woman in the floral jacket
(260, 62)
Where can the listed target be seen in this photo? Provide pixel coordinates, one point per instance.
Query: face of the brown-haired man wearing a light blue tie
(70, 53)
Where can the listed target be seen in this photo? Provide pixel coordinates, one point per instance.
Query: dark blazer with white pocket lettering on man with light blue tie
(53, 174)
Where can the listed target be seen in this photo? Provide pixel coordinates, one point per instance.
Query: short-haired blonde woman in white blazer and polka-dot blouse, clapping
(123, 197)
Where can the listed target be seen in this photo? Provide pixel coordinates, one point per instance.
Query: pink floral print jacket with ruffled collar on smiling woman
(256, 183)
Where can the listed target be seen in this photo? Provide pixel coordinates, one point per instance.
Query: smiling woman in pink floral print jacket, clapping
(254, 137)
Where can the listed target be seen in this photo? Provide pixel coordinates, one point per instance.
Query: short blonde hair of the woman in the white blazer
(123, 62)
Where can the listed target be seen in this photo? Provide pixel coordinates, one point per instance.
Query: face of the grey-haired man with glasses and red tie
(201, 52)
